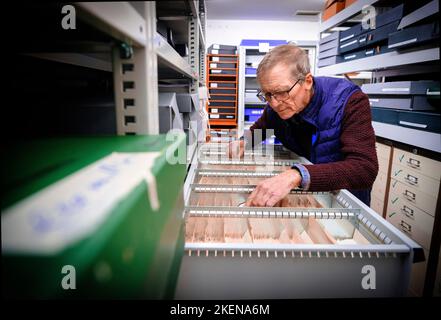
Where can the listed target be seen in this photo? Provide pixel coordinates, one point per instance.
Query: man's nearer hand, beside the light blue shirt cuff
(270, 191)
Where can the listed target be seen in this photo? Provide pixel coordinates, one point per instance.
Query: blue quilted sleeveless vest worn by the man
(324, 113)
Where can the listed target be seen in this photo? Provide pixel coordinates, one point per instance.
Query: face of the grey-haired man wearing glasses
(279, 79)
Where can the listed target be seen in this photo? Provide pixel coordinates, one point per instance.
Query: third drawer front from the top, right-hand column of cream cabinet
(414, 197)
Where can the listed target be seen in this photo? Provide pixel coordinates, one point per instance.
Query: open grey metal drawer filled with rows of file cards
(341, 247)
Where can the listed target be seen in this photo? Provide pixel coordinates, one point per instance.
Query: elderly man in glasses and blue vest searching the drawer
(327, 120)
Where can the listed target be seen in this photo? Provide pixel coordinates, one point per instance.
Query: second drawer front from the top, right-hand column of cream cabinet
(412, 178)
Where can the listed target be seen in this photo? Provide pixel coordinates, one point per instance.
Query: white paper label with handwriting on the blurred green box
(71, 209)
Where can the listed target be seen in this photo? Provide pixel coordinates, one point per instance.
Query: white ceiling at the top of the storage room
(282, 10)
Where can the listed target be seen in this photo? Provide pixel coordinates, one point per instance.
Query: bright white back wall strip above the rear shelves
(233, 31)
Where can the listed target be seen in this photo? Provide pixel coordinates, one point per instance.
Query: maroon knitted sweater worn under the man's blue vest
(359, 166)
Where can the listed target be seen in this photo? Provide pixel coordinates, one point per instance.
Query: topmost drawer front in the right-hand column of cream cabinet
(428, 167)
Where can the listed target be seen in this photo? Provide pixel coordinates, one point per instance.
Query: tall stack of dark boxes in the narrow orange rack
(222, 82)
